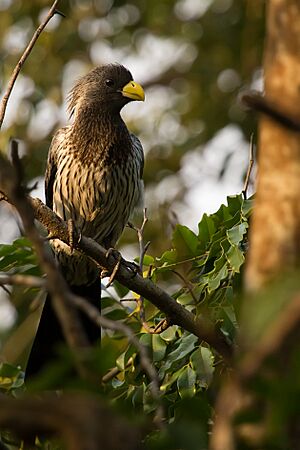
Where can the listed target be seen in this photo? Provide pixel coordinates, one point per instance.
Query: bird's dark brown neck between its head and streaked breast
(97, 135)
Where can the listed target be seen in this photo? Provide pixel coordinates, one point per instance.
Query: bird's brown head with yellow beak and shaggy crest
(108, 87)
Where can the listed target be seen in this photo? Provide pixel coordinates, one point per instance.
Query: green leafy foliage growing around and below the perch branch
(203, 272)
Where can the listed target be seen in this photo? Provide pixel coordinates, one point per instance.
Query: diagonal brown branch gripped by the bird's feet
(176, 313)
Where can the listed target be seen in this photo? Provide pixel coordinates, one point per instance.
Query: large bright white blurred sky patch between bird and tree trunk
(201, 173)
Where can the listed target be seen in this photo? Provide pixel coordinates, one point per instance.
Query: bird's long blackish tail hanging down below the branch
(49, 334)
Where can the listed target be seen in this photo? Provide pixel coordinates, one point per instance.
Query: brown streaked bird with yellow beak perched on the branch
(94, 178)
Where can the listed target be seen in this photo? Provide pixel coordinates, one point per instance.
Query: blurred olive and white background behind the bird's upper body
(193, 57)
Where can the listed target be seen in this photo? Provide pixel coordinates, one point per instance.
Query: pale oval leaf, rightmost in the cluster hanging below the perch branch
(202, 361)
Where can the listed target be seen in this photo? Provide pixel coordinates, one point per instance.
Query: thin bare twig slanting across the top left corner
(23, 58)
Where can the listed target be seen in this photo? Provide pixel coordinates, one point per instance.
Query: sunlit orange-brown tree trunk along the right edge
(275, 230)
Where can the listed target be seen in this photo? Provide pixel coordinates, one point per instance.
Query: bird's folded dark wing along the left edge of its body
(51, 167)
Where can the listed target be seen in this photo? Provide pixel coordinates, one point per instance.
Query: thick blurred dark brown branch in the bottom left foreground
(81, 421)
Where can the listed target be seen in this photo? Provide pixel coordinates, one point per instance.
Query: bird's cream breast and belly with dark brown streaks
(99, 198)
